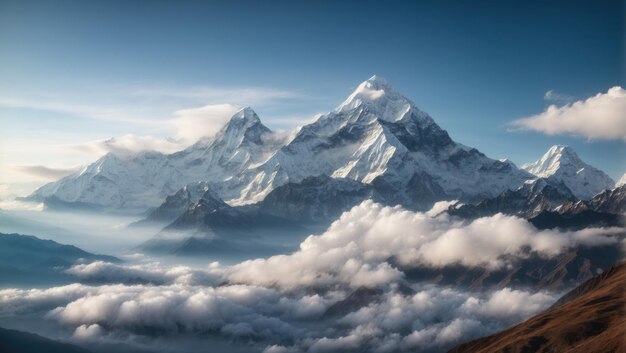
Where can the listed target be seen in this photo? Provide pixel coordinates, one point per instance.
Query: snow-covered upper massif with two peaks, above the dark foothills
(376, 136)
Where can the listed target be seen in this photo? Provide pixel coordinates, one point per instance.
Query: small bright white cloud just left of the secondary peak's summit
(195, 123)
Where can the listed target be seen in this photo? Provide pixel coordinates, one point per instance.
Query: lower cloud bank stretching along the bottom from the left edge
(432, 318)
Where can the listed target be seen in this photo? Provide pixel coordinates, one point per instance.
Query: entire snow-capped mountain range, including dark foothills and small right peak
(375, 145)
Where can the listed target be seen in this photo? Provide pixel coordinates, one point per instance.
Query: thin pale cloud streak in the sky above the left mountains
(142, 105)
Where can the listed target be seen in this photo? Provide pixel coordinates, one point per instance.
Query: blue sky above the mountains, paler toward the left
(74, 72)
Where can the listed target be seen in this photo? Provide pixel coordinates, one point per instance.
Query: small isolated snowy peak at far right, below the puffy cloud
(561, 163)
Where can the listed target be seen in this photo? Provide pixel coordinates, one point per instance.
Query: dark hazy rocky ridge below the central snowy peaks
(314, 202)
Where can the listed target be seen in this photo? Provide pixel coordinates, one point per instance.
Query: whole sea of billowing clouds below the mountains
(279, 304)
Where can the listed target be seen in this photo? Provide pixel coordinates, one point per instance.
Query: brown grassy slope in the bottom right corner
(591, 319)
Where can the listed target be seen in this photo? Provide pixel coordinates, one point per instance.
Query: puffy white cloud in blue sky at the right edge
(601, 117)
